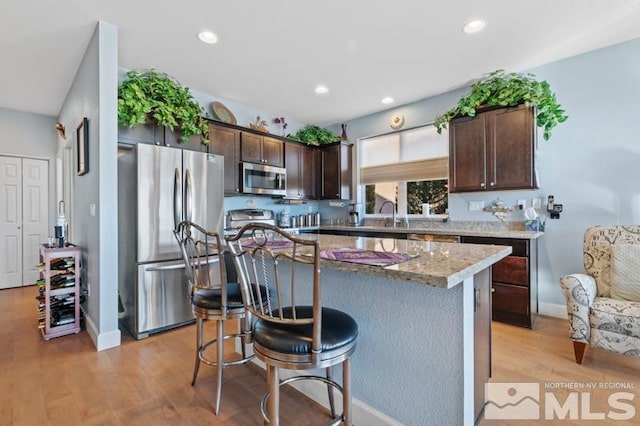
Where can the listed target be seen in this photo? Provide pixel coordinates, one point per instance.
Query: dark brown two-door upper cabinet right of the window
(493, 150)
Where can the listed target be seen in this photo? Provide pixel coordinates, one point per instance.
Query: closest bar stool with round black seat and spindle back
(291, 330)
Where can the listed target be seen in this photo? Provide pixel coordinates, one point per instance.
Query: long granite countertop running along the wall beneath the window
(477, 232)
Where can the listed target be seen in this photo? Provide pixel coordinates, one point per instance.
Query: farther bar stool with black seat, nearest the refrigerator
(212, 298)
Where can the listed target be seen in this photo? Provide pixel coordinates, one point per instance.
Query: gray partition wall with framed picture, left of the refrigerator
(93, 95)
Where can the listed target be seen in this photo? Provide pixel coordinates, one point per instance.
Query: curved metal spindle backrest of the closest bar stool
(267, 257)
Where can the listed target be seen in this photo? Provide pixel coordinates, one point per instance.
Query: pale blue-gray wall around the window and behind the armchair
(590, 164)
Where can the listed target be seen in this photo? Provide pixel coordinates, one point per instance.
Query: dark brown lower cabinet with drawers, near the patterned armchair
(514, 281)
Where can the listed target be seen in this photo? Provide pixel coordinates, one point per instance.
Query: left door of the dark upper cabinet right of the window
(467, 148)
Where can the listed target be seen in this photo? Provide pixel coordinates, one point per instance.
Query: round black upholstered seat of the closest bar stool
(338, 330)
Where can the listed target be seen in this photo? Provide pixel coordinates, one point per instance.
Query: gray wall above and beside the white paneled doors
(26, 134)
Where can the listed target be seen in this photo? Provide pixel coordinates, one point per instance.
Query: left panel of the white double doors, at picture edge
(10, 222)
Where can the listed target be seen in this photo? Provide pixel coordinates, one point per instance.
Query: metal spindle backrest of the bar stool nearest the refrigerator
(201, 249)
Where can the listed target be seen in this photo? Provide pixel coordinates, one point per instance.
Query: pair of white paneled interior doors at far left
(24, 218)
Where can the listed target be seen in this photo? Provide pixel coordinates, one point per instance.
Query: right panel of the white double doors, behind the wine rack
(35, 215)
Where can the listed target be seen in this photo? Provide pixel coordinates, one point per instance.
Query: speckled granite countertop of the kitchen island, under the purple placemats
(443, 265)
